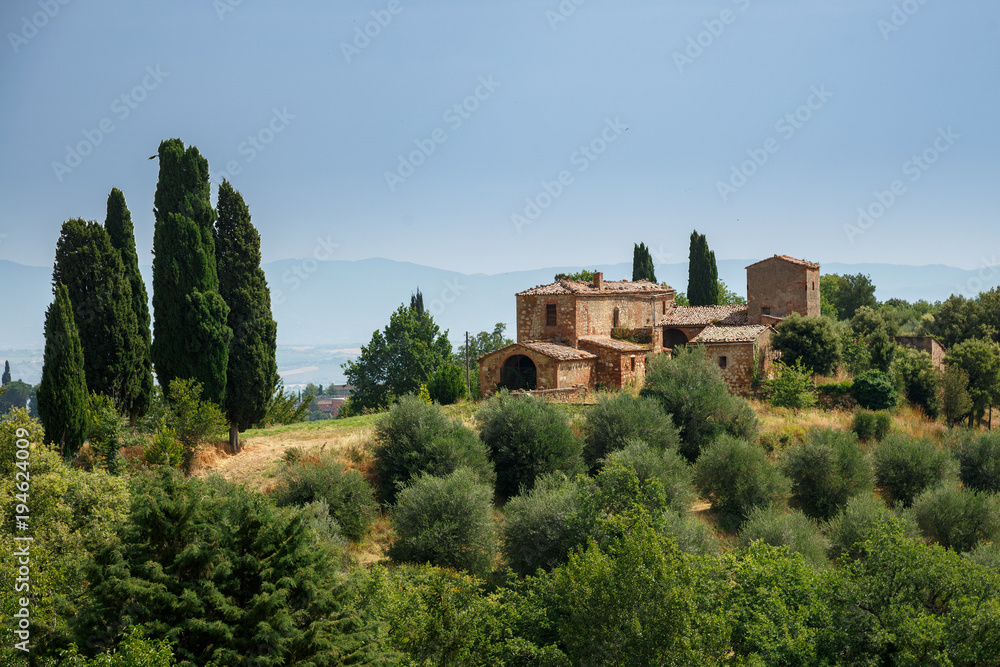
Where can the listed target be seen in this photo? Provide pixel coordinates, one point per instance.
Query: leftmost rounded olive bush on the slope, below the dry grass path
(349, 498)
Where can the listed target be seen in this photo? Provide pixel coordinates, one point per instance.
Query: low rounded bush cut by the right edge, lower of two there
(957, 518)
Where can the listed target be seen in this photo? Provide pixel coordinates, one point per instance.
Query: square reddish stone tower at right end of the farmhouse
(784, 287)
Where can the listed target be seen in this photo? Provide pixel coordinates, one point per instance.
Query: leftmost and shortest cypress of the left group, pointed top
(62, 395)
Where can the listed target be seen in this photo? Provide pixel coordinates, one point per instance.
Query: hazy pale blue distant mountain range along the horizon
(327, 310)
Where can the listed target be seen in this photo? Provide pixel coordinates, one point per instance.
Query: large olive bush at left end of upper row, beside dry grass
(415, 437)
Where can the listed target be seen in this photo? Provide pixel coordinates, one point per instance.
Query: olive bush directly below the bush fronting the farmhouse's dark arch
(539, 528)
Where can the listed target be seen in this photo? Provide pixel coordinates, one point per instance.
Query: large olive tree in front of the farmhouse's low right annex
(690, 388)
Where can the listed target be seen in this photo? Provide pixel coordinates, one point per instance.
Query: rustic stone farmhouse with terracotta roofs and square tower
(574, 337)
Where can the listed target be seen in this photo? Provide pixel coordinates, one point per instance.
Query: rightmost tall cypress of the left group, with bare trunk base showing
(252, 369)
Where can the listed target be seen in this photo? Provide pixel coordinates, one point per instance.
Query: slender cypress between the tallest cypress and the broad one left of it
(138, 383)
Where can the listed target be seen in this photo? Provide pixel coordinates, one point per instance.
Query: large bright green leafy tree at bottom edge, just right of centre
(639, 602)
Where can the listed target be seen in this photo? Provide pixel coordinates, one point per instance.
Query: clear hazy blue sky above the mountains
(489, 137)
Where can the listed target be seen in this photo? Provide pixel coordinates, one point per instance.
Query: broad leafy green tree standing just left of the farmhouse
(397, 361)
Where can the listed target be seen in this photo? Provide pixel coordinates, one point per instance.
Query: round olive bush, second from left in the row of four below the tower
(826, 470)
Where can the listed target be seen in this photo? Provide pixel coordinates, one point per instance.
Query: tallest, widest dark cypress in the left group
(190, 334)
